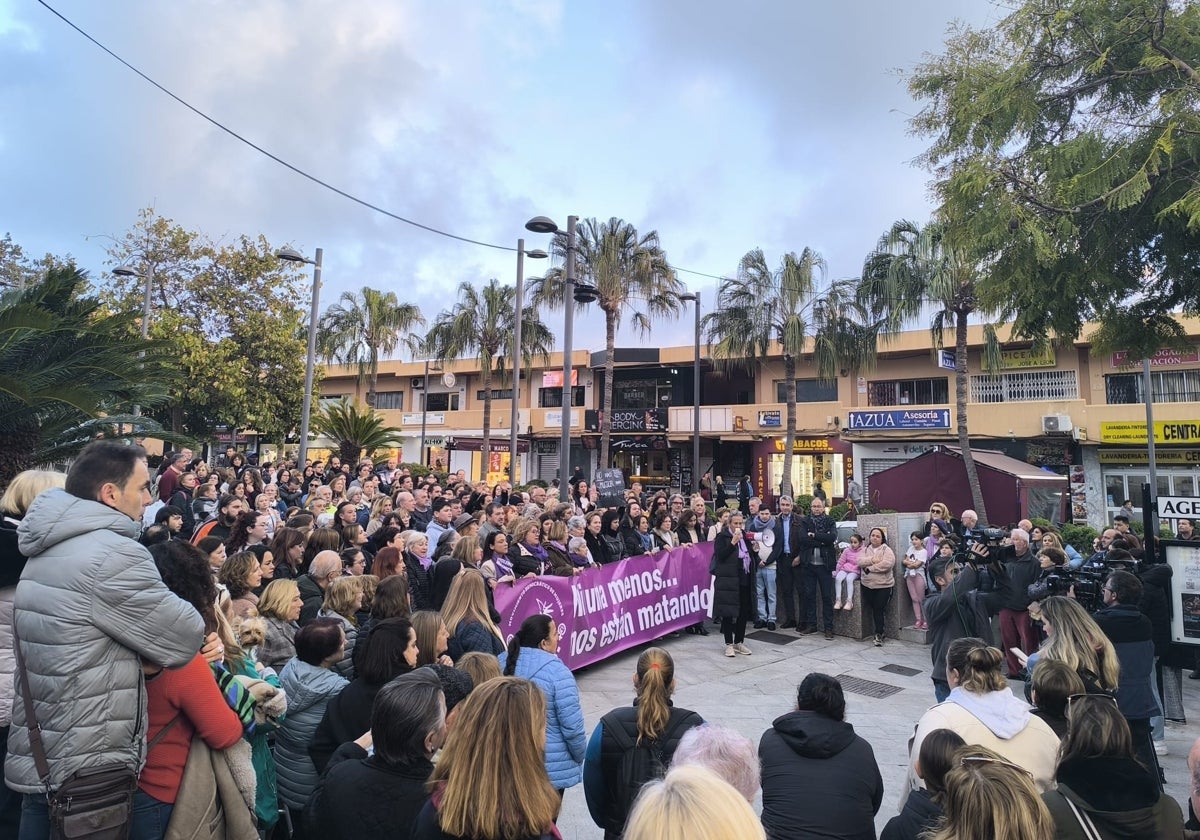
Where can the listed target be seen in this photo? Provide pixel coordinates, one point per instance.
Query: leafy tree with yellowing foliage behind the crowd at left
(232, 315)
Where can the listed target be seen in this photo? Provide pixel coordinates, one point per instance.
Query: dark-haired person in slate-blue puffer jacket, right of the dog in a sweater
(310, 682)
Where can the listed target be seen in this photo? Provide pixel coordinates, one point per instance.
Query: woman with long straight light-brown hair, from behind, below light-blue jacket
(490, 782)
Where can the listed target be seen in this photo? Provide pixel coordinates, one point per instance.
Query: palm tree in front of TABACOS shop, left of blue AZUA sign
(788, 307)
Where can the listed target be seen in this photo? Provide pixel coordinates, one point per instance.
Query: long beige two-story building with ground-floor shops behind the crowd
(1069, 410)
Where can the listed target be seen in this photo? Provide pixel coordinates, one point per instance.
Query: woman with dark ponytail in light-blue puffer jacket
(533, 656)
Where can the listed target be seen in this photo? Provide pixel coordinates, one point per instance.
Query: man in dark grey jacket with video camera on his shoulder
(953, 610)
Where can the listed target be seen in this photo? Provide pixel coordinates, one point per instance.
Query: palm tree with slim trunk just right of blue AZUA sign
(914, 269)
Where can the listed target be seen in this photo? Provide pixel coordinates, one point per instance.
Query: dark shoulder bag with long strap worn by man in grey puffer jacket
(97, 803)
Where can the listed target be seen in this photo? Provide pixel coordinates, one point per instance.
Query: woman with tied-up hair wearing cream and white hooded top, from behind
(985, 712)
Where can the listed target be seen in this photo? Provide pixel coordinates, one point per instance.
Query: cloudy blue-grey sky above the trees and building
(725, 127)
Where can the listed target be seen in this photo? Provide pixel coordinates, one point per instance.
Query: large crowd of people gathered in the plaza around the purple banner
(315, 652)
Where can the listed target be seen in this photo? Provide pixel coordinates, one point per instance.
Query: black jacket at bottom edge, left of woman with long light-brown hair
(361, 797)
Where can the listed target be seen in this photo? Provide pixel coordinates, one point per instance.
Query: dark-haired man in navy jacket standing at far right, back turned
(1133, 638)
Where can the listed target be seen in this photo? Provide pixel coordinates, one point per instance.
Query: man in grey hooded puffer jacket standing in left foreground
(89, 611)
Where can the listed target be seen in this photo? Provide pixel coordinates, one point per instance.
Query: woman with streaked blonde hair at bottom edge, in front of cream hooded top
(989, 797)
